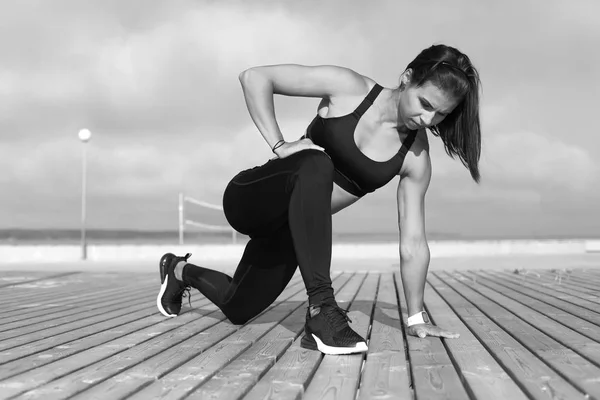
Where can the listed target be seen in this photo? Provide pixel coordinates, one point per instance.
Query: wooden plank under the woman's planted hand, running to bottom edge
(434, 376)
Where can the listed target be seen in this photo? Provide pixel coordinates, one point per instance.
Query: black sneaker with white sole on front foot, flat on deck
(329, 332)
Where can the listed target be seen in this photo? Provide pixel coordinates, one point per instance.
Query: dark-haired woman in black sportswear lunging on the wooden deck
(363, 136)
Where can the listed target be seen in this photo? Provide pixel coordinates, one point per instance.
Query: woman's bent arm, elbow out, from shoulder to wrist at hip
(261, 83)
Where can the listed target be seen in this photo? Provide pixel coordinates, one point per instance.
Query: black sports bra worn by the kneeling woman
(354, 171)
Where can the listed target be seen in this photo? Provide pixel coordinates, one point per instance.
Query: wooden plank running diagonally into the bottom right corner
(565, 361)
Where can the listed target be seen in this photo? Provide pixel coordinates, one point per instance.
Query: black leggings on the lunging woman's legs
(285, 208)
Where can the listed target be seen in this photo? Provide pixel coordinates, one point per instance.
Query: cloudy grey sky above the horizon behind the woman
(156, 83)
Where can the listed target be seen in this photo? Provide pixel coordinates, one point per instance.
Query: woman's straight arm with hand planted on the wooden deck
(414, 250)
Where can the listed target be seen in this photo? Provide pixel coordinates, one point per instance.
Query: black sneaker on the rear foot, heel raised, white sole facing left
(171, 289)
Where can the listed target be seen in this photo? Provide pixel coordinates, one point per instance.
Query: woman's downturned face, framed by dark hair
(424, 106)
